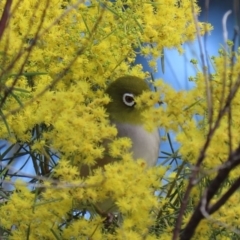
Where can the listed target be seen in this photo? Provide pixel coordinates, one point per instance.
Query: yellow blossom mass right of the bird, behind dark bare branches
(187, 114)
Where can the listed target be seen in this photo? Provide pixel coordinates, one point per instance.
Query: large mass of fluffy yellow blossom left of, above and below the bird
(56, 58)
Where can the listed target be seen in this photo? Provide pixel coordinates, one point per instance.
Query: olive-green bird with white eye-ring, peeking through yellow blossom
(129, 122)
